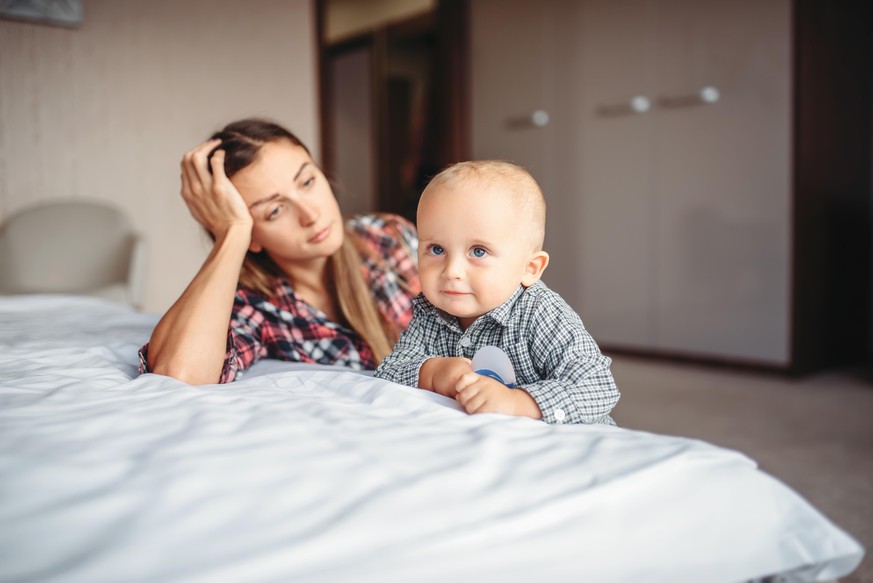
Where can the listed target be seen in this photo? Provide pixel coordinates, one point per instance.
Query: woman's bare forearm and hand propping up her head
(189, 343)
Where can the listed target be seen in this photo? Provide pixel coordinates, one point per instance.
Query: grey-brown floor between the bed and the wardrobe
(813, 433)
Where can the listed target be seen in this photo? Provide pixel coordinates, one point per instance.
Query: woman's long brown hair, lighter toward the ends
(242, 141)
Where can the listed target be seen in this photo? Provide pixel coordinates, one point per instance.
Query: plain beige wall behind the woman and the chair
(105, 111)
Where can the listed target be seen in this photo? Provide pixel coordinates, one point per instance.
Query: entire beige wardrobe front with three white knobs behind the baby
(665, 163)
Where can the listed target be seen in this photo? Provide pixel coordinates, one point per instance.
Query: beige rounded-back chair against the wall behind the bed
(72, 247)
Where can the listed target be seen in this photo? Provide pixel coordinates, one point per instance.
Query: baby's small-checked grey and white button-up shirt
(556, 361)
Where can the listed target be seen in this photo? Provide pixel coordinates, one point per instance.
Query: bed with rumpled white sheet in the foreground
(312, 473)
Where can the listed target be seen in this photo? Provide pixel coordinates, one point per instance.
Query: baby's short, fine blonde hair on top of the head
(507, 178)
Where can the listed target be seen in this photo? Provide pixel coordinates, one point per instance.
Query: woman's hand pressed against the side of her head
(212, 198)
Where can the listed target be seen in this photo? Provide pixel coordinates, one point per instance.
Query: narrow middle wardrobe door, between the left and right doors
(608, 205)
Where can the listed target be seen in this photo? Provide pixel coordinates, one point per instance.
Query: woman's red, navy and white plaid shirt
(287, 328)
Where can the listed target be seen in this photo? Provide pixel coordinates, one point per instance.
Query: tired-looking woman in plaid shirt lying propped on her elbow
(287, 277)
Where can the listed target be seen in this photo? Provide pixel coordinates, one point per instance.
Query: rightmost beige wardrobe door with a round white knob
(722, 188)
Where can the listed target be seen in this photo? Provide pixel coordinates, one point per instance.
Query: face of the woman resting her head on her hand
(296, 217)
